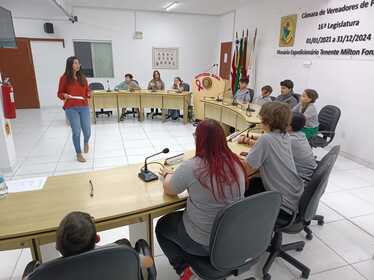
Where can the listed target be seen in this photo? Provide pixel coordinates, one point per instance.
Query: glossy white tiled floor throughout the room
(342, 249)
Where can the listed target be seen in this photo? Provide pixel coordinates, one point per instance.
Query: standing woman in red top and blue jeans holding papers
(73, 90)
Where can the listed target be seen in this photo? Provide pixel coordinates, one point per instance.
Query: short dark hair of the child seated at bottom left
(76, 234)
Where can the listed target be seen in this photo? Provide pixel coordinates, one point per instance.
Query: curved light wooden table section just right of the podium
(229, 115)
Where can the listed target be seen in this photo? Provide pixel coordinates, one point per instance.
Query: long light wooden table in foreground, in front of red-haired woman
(30, 219)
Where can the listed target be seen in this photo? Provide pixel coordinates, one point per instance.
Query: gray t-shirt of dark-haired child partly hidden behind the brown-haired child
(303, 155)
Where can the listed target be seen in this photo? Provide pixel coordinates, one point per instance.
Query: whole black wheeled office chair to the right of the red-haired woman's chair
(307, 209)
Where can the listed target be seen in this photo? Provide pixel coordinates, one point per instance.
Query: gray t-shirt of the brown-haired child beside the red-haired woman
(272, 155)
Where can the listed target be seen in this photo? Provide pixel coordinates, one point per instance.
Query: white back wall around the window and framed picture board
(195, 36)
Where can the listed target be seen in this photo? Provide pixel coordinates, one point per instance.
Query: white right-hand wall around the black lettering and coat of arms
(346, 83)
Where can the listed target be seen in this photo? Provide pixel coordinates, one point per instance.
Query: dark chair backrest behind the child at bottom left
(114, 262)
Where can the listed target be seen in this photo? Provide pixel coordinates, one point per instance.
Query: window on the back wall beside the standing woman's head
(96, 58)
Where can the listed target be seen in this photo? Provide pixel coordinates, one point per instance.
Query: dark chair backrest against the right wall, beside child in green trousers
(328, 119)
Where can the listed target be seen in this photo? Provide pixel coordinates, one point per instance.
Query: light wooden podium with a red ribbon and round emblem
(207, 85)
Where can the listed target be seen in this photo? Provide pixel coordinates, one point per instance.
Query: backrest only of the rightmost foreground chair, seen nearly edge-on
(316, 187)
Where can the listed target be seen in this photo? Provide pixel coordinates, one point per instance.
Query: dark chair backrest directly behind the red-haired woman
(242, 231)
